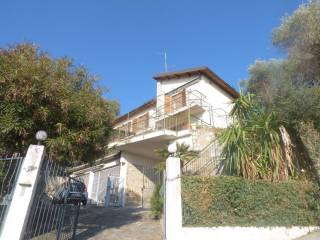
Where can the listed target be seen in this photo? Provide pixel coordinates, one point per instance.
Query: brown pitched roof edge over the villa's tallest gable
(197, 71)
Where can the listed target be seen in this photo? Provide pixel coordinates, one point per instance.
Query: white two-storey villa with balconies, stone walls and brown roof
(190, 106)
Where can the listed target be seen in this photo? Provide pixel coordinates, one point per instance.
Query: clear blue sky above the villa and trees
(120, 40)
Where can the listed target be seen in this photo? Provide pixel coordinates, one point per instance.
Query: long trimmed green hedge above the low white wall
(233, 201)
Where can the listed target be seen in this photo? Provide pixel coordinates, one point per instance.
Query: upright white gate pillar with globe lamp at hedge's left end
(173, 205)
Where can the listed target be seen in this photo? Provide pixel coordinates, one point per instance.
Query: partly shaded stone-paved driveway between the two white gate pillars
(97, 223)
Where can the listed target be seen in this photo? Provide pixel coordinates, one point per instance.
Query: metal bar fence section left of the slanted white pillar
(9, 171)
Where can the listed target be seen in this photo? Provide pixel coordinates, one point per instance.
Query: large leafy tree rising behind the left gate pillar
(39, 92)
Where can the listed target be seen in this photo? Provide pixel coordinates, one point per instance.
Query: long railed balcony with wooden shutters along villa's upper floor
(178, 112)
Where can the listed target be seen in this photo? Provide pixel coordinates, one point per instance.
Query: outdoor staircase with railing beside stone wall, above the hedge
(208, 163)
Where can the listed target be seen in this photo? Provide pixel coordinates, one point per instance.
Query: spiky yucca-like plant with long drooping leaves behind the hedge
(252, 145)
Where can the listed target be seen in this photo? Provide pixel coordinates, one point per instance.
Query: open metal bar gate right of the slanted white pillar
(48, 220)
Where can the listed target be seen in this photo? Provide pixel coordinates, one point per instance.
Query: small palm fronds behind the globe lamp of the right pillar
(183, 152)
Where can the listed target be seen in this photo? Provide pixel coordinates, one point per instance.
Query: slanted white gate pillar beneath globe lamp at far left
(23, 194)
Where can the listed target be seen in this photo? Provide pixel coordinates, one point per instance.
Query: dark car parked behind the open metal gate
(72, 192)
